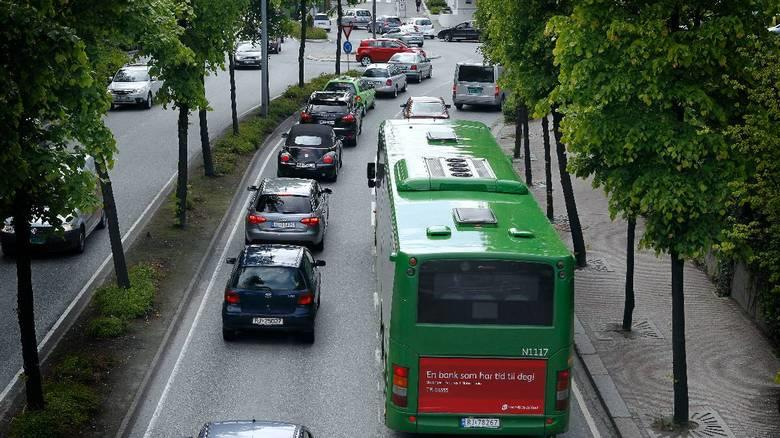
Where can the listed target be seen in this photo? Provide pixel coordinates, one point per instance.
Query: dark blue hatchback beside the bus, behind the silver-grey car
(272, 288)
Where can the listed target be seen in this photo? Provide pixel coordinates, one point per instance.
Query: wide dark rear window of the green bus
(485, 292)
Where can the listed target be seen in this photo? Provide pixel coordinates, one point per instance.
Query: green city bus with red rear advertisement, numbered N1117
(474, 287)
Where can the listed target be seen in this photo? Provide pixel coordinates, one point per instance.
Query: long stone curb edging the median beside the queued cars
(132, 413)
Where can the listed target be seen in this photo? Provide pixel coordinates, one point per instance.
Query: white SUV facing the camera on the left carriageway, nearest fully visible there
(133, 85)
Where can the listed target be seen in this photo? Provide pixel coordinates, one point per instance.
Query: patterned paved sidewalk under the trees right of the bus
(731, 365)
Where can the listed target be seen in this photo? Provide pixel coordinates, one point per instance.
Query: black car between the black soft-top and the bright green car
(337, 109)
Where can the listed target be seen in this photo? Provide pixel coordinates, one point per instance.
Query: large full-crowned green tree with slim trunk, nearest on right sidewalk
(648, 93)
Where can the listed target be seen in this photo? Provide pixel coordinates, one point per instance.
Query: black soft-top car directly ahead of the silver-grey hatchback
(310, 151)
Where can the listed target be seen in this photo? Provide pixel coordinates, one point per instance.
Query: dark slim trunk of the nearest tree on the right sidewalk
(679, 361)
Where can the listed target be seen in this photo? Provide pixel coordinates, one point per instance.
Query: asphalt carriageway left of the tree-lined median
(145, 163)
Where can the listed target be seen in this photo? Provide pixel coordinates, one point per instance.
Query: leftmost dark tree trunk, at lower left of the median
(25, 302)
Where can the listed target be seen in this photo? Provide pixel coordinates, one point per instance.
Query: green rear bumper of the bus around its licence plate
(451, 424)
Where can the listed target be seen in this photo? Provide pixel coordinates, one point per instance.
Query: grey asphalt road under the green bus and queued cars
(333, 386)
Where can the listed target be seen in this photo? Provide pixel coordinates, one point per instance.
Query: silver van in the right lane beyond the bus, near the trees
(477, 84)
